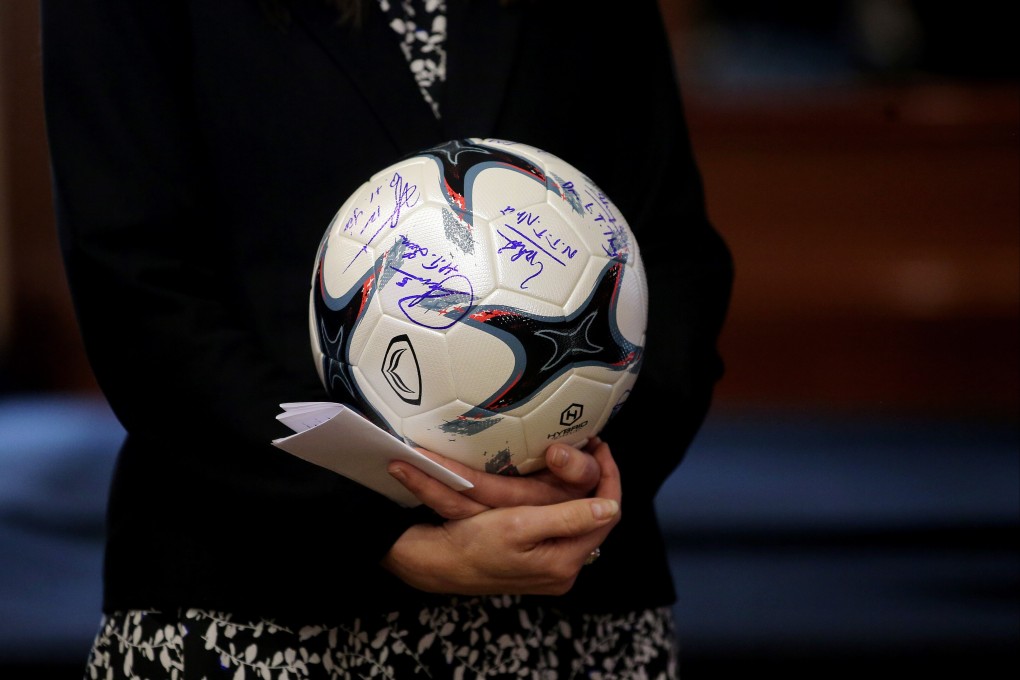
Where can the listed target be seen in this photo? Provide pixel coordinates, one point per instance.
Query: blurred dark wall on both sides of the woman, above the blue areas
(866, 182)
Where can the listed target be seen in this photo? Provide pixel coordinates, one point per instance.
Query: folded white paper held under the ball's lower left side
(335, 438)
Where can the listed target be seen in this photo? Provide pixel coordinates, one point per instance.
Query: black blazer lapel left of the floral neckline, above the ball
(367, 54)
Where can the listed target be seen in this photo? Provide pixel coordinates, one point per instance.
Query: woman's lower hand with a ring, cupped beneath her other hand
(526, 550)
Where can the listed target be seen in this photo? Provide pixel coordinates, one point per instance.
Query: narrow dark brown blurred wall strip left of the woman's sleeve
(40, 349)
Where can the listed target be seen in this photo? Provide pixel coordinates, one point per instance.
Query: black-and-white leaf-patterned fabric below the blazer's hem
(478, 638)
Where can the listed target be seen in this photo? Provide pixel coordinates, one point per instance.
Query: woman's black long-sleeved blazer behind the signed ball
(199, 150)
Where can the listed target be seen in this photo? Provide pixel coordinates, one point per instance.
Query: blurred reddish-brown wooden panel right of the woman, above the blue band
(876, 234)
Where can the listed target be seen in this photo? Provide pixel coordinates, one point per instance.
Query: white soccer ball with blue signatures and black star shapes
(482, 299)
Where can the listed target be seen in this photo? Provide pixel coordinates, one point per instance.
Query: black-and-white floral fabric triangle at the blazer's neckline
(422, 28)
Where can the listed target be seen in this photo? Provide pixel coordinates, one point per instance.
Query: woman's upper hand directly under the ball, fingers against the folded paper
(571, 474)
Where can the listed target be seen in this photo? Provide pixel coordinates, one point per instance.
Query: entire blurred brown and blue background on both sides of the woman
(853, 504)
